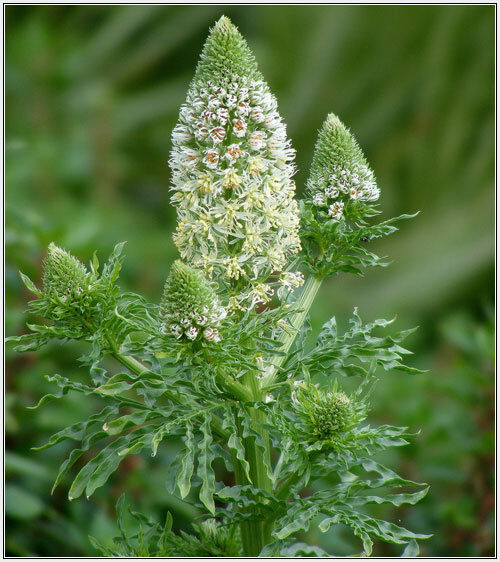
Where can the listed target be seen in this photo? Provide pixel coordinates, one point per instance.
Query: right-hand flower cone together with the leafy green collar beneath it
(340, 196)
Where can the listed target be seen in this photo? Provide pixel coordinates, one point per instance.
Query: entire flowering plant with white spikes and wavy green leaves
(222, 362)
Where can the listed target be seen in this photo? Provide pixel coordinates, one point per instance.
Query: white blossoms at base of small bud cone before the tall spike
(194, 322)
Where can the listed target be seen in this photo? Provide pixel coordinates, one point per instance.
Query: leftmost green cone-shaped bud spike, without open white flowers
(64, 277)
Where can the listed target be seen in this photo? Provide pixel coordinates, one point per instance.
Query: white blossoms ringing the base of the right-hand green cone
(344, 185)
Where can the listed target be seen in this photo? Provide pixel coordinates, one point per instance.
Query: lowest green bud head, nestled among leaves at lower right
(326, 415)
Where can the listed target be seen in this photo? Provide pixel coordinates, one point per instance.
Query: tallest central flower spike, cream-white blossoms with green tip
(232, 168)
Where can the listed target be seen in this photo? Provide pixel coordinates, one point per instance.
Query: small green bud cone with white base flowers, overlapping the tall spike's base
(189, 307)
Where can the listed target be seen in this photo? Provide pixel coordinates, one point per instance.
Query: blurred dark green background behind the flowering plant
(92, 93)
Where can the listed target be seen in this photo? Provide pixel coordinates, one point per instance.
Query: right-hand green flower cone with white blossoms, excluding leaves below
(340, 175)
